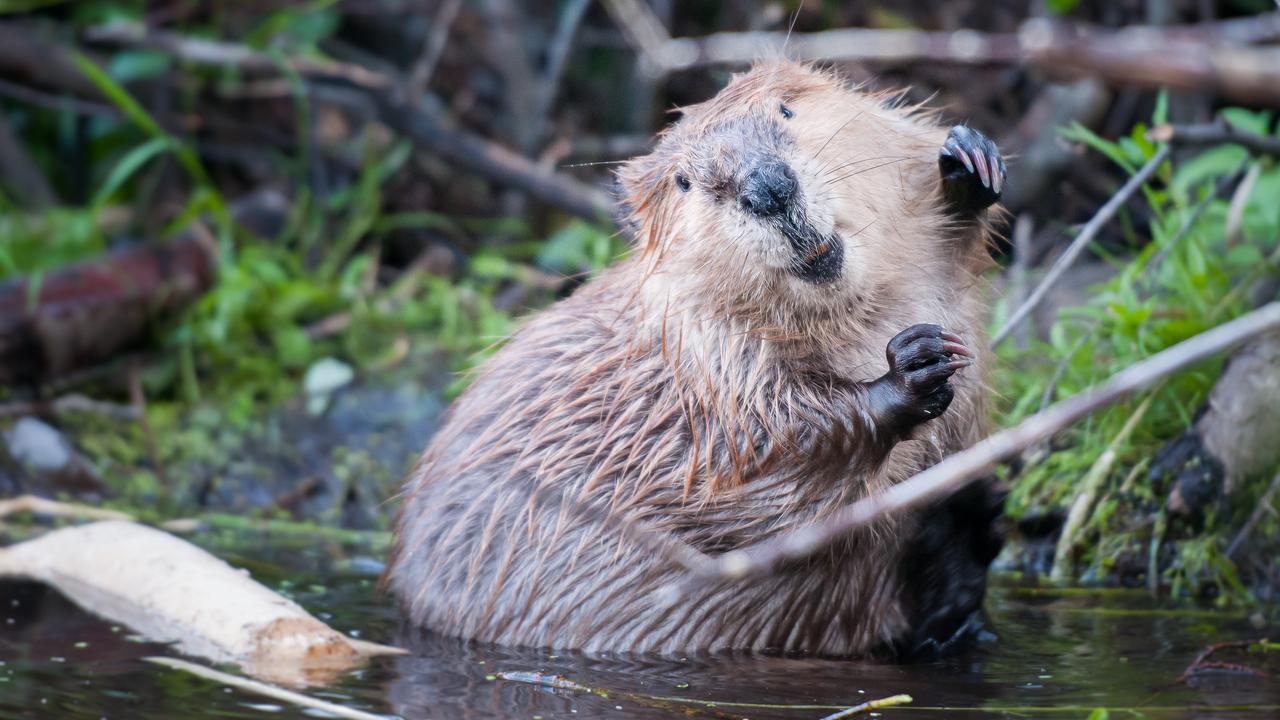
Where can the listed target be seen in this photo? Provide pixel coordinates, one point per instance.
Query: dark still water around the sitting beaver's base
(1053, 655)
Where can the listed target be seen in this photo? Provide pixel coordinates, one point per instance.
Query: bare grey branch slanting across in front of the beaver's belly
(954, 472)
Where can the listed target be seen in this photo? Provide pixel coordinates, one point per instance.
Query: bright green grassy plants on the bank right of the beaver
(1186, 280)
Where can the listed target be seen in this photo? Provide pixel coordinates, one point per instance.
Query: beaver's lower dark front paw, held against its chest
(921, 362)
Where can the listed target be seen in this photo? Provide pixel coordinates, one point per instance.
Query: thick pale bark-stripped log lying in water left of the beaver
(172, 591)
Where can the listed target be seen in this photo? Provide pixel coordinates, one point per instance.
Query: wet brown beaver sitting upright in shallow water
(785, 339)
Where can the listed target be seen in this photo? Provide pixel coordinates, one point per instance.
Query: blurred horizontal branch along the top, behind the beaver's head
(1204, 57)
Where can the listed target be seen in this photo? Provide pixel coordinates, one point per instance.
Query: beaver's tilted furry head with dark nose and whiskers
(779, 184)
